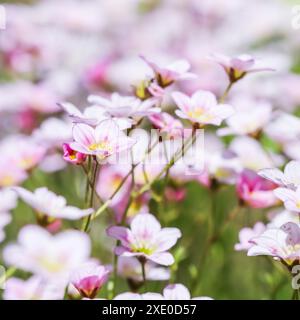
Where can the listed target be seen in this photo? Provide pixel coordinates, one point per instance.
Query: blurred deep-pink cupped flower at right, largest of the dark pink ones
(255, 191)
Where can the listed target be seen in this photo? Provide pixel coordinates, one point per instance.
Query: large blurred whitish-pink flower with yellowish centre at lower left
(50, 256)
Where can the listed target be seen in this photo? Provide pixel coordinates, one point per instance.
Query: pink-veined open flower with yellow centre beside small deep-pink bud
(103, 141)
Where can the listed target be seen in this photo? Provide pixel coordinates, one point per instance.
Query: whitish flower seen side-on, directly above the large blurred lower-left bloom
(47, 203)
